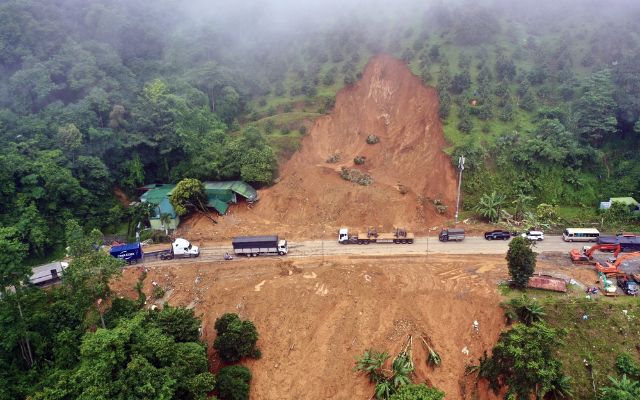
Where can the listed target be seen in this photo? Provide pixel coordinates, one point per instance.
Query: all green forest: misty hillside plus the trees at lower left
(542, 98)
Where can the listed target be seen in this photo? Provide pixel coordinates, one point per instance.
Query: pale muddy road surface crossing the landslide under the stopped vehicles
(421, 246)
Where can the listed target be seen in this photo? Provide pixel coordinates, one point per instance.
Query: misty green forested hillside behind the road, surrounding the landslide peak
(102, 94)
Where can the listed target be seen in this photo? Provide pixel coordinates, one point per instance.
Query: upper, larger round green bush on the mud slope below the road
(236, 338)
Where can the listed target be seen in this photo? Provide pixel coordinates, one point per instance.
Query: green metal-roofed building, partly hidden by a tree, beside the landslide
(219, 196)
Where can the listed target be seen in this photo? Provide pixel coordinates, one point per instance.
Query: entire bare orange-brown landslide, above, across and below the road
(320, 307)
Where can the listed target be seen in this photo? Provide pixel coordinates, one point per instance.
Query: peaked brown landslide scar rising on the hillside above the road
(390, 102)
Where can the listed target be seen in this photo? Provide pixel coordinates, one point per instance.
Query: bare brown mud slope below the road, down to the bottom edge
(314, 320)
